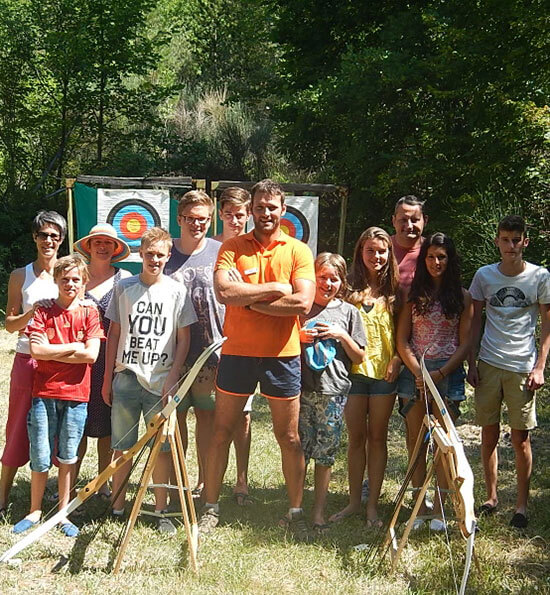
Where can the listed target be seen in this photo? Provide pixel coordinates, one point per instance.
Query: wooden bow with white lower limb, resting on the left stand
(91, 488)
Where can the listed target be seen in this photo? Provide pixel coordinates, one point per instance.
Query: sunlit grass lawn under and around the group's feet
(250, 554)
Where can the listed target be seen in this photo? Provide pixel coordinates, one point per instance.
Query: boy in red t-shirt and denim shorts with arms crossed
(64, 339)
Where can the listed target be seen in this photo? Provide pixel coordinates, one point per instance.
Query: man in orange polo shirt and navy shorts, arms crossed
(266, 279)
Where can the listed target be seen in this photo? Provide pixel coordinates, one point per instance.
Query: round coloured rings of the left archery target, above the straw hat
(132, 218)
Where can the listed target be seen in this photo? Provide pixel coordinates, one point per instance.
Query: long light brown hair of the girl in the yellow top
(388, 281)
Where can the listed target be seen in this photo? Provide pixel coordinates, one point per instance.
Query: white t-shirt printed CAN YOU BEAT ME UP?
(149, 316)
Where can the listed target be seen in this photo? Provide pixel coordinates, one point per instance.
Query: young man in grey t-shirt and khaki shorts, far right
(513, 293)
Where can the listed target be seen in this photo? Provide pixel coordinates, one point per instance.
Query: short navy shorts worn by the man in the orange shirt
(279, 377)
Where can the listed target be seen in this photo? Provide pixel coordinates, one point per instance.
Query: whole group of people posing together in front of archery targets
(323, 346)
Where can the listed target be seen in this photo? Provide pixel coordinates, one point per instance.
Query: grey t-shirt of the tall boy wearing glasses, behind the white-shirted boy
(196, 273)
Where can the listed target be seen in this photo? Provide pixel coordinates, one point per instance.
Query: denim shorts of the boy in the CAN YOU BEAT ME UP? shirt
(130, 400)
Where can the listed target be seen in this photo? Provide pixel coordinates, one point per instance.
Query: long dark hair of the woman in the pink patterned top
(423, 291)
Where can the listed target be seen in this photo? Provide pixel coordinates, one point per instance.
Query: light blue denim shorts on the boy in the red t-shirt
(49, 419)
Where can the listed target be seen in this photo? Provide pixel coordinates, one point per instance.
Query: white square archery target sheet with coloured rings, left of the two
(132, 213)
